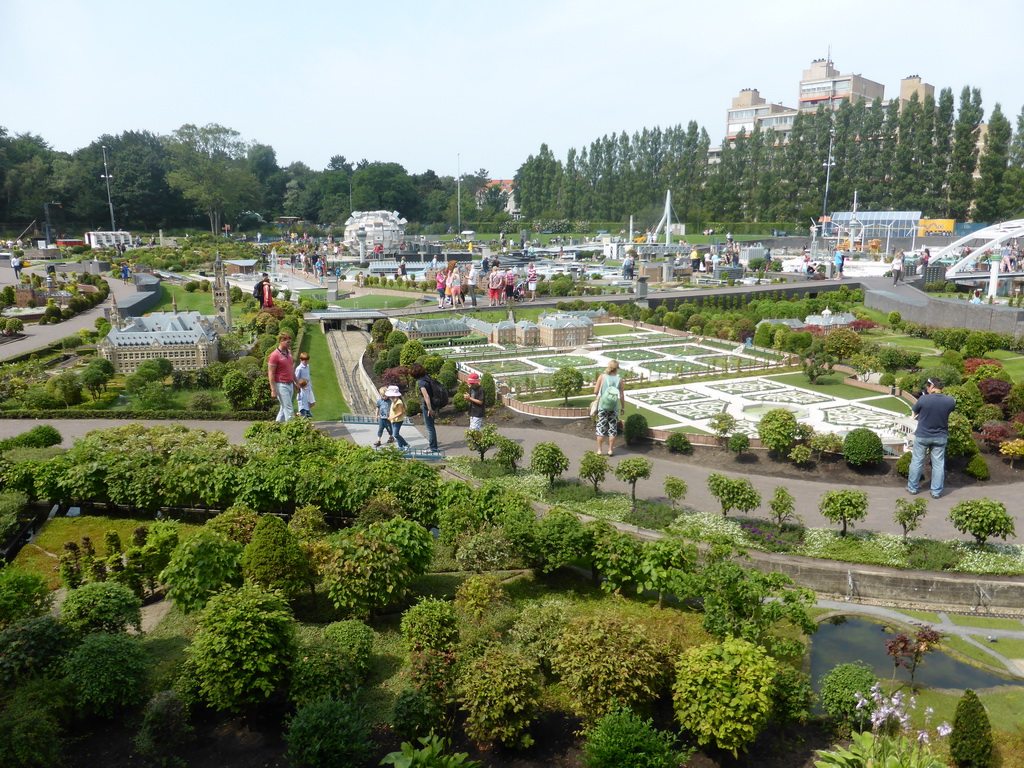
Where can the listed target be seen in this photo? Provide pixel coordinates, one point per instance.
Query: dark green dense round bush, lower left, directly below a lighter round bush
(107, 673)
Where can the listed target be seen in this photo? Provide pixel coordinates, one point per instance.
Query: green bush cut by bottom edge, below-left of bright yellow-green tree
(623, 738)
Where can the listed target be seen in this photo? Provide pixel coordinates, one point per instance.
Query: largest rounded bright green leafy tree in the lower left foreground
(244, 648)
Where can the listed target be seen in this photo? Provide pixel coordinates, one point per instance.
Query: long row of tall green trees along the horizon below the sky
(934, 155)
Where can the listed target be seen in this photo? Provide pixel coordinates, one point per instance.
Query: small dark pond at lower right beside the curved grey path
(861, 641)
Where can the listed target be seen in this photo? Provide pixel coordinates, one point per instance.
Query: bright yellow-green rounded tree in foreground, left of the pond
(723, 694)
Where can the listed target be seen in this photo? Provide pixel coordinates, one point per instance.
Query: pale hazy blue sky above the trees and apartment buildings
(453, 86)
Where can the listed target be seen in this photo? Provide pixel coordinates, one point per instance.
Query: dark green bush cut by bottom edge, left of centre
(329, 734)
